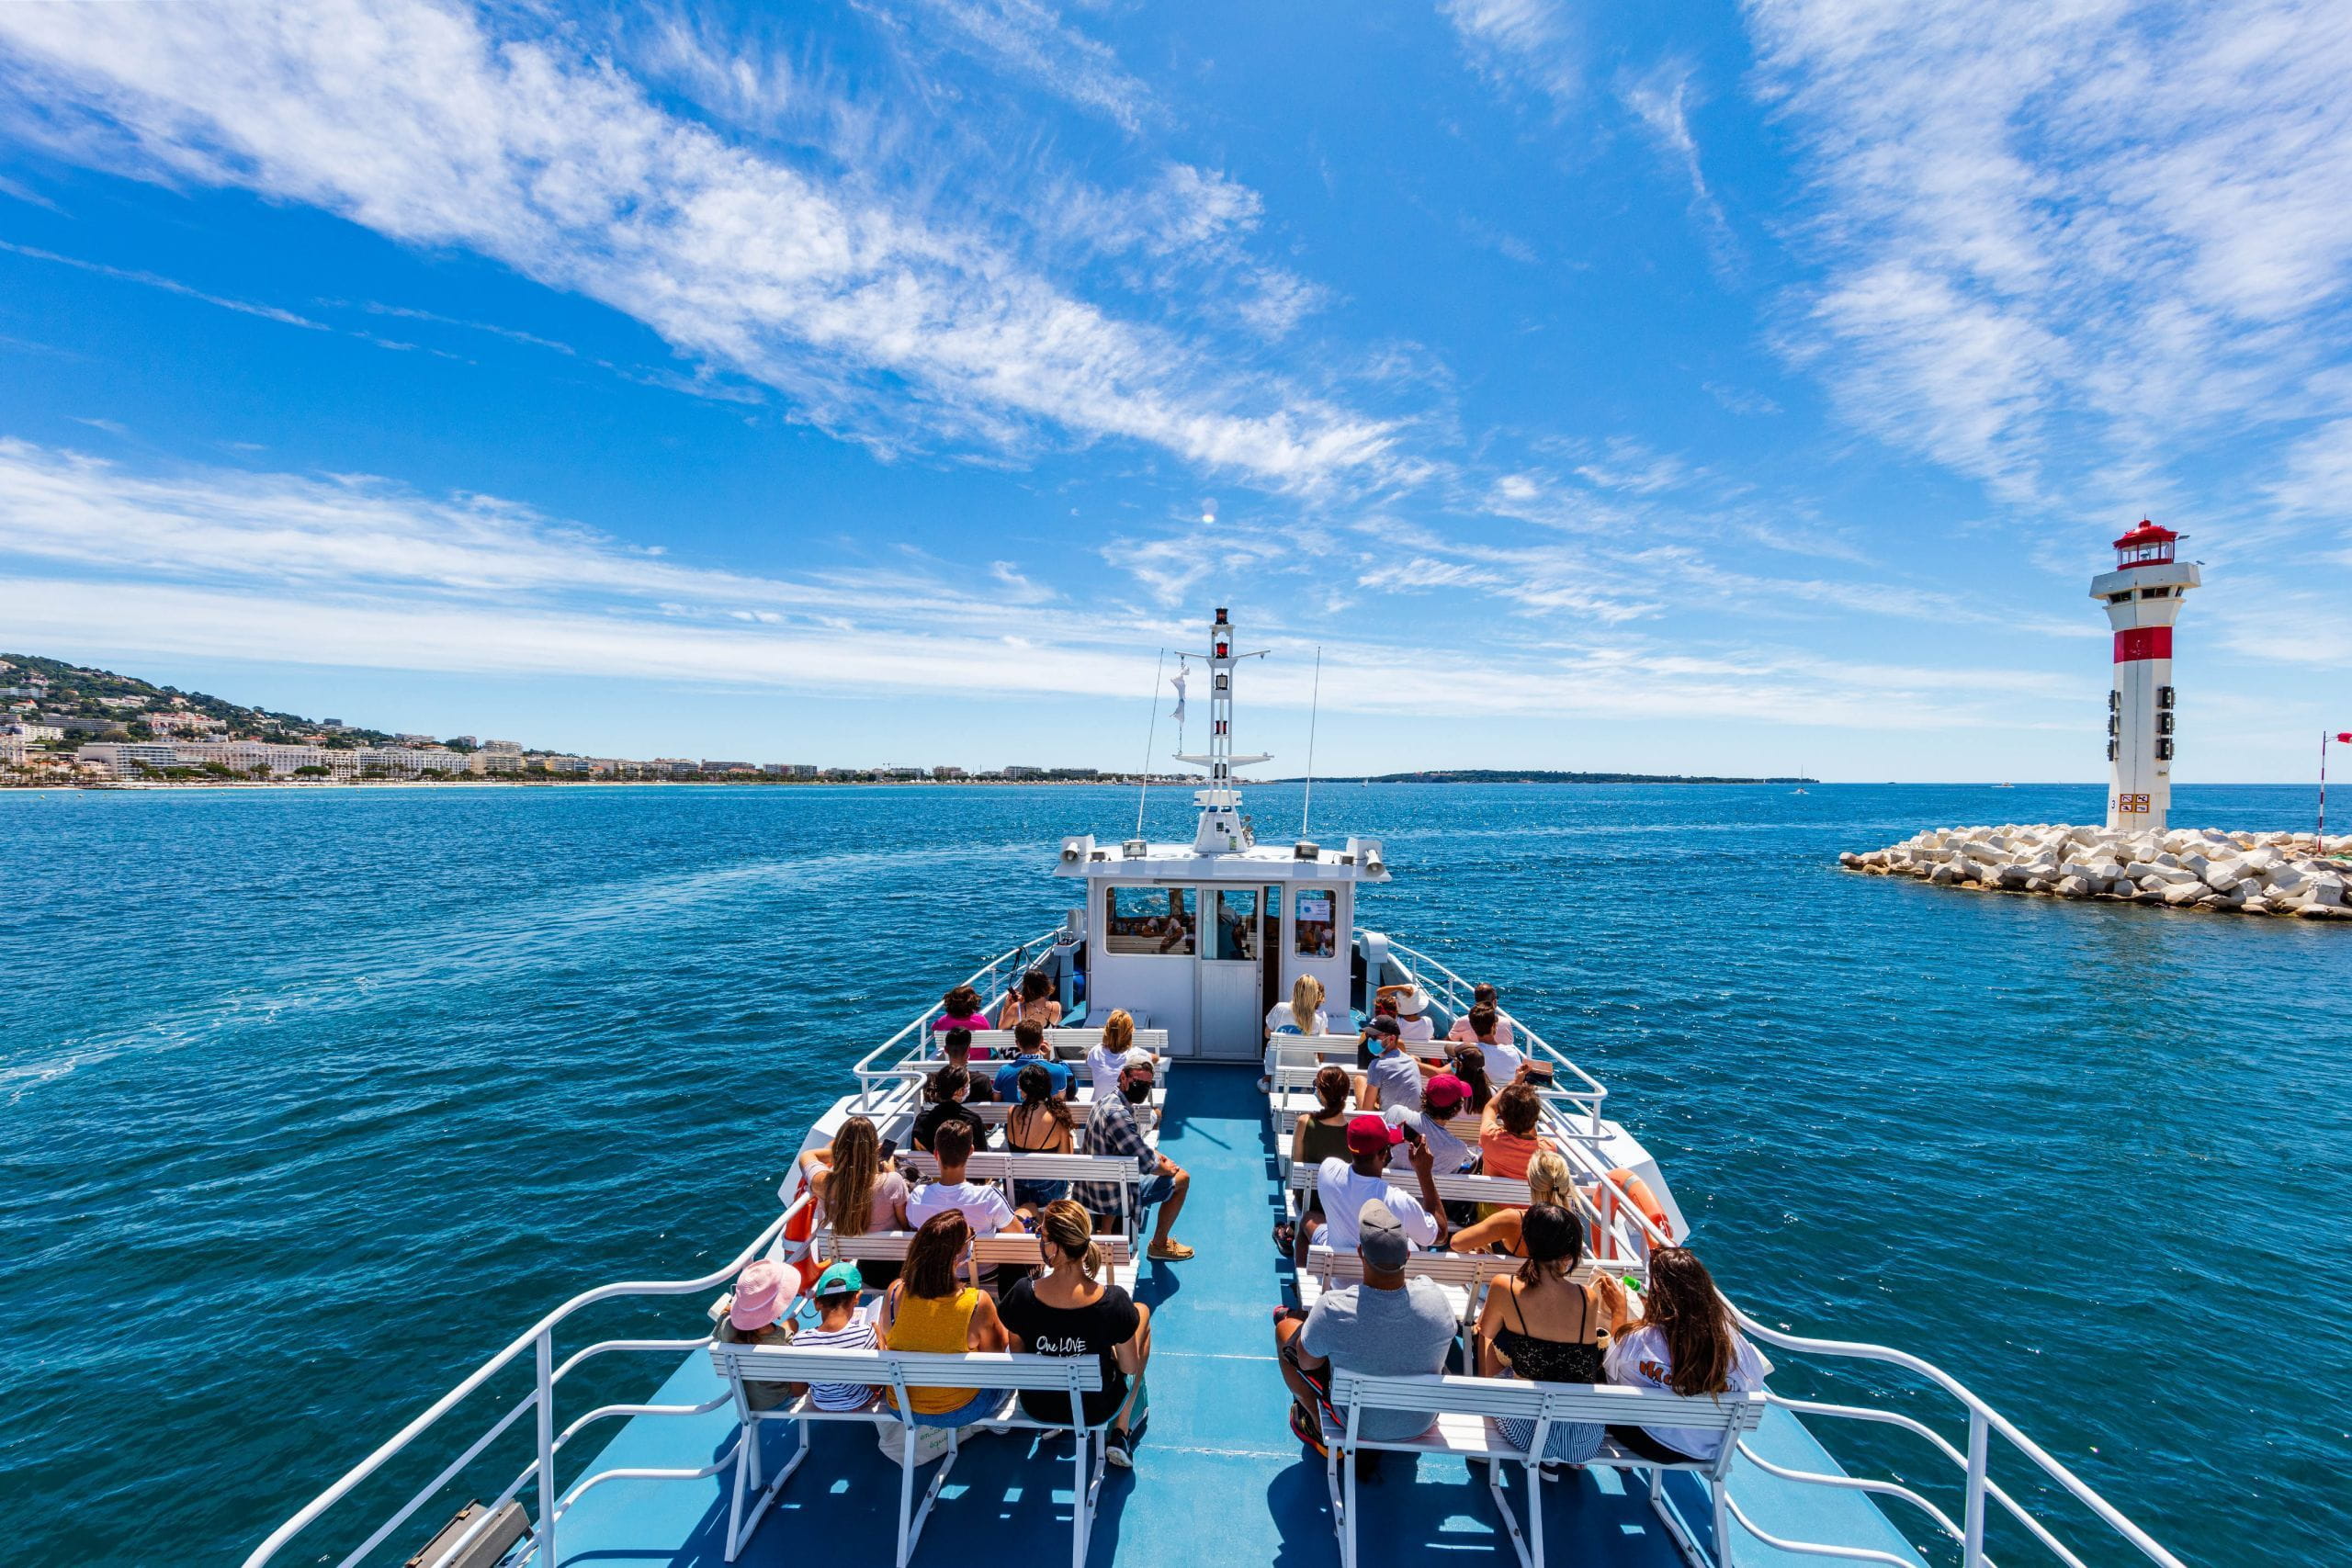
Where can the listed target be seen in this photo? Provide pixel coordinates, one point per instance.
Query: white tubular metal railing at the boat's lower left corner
(540, 1339)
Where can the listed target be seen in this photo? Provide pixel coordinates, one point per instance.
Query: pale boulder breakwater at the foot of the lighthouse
(2186, 869)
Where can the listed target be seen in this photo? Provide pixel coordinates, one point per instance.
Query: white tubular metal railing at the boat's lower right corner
(1975, 1466)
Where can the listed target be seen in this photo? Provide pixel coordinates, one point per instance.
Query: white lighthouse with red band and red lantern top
(2144, 601)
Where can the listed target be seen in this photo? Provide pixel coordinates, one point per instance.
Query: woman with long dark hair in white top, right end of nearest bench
(1683, 1341)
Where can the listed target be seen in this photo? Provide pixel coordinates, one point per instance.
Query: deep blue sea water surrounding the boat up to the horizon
(309, 1101)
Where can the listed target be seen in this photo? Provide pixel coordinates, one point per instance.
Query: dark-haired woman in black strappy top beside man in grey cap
(1544, 1327)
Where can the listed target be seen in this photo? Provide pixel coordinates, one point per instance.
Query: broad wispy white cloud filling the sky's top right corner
(2064, 241)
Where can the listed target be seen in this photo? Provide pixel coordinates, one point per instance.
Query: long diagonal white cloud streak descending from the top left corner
(436, 130)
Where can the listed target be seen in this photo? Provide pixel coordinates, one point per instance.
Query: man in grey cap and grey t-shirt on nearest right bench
(1389, 1327)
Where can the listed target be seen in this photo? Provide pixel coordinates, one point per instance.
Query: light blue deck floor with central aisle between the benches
(1220, 1480)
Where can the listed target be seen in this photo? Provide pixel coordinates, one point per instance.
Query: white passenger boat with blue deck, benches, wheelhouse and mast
(575, 1461)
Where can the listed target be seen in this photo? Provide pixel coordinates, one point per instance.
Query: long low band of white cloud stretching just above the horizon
(370, 575)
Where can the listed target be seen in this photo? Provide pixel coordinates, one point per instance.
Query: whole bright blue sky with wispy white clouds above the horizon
(1685, 389)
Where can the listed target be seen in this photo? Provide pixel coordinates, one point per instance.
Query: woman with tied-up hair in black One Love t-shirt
(1071, 1313)
